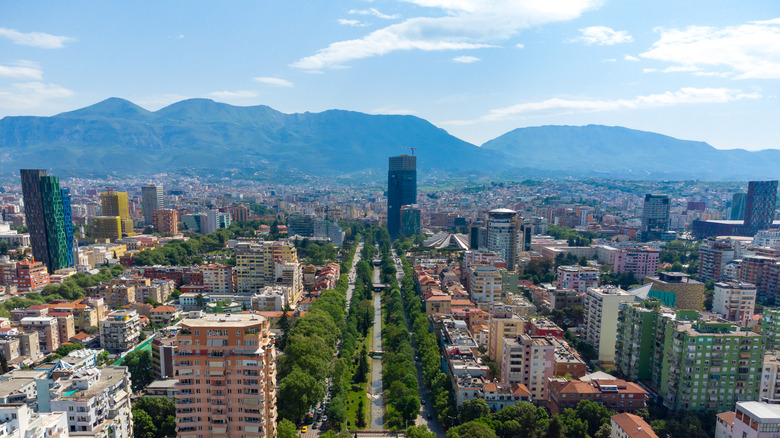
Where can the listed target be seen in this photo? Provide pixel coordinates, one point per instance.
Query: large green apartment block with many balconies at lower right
(696, 364)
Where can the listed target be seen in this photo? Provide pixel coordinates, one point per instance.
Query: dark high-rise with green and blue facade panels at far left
(44, 210)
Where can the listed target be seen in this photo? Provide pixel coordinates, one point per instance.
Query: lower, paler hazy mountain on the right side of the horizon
(596, 150)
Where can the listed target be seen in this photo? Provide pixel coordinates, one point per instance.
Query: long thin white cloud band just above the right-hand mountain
(669, 98)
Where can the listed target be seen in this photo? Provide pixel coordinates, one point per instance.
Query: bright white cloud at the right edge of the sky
(749, 51)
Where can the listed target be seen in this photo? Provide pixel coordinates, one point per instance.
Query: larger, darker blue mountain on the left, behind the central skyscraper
(198, 133)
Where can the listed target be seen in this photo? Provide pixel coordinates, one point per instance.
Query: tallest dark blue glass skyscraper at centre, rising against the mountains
(401, 189)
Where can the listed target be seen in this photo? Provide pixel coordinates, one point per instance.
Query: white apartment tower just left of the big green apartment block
(601, 313)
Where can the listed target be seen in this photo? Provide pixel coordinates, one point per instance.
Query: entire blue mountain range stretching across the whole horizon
(118, 136)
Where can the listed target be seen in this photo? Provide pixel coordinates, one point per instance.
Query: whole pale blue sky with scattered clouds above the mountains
(695, 70)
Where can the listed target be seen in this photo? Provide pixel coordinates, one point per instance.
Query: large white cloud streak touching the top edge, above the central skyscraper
(466, 24)
